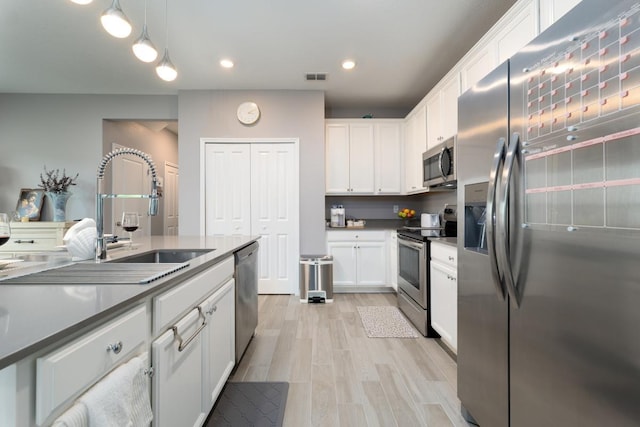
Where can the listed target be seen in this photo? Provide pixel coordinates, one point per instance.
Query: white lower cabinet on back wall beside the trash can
(359, 257)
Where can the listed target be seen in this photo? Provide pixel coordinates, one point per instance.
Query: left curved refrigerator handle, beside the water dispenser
(497, 164)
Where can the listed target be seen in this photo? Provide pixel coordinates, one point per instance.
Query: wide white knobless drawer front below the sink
(169, 306)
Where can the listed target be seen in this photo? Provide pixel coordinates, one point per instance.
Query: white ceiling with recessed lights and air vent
(402, 47)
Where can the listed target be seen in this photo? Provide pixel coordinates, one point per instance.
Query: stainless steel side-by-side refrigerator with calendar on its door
(549, 244)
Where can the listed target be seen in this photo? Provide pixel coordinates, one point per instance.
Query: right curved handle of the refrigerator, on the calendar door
(502, 220)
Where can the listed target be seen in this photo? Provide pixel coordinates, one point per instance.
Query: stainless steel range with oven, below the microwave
(414, 290)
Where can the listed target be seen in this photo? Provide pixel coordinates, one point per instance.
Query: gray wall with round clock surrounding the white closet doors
(284, 114)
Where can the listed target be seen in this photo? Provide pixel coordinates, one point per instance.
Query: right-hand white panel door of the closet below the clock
(274, 207)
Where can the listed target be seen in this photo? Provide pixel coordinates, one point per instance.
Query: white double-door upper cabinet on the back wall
(363, 156)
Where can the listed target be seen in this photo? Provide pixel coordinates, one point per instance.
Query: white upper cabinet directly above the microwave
(442, 110)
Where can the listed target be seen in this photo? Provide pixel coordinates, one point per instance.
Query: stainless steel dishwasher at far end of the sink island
(246, 275)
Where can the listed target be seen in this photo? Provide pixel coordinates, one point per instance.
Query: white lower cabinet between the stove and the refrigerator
(444, 293)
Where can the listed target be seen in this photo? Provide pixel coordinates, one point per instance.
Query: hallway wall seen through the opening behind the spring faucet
(161, 145)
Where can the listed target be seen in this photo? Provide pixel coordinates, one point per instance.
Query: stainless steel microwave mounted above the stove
(438, 166)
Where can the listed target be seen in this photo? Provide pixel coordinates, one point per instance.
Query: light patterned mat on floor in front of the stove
(385, 322)
